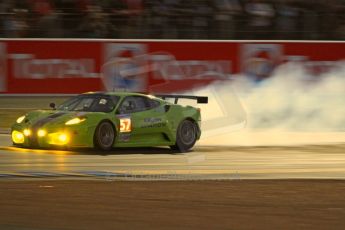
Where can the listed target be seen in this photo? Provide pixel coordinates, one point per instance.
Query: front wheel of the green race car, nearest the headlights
(104, 136)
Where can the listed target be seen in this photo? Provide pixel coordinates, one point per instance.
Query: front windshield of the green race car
(90, 103)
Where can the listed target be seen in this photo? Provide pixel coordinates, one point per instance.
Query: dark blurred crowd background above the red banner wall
(174, 19)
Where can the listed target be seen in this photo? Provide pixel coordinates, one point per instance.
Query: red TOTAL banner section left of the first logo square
(52, 66)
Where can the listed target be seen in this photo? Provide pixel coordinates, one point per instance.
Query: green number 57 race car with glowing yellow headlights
(114, 119)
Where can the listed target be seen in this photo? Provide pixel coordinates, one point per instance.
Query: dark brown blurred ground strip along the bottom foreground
(239, 204)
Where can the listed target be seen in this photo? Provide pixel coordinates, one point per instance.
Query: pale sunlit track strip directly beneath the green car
(322, 161)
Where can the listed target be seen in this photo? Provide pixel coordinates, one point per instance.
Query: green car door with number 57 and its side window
(142, 121)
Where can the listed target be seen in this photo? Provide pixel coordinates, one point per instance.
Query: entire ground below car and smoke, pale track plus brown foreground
(286, 183)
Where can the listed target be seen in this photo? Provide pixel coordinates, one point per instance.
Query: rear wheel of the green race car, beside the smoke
(186, 136)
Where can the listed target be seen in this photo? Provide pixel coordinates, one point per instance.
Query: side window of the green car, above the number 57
(132, 104)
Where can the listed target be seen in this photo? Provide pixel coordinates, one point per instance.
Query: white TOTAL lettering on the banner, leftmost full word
(27, 66)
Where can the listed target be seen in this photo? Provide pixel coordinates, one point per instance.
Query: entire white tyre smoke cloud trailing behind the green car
(291, 107)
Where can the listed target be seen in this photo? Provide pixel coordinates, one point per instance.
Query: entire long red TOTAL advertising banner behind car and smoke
(73, 66)
